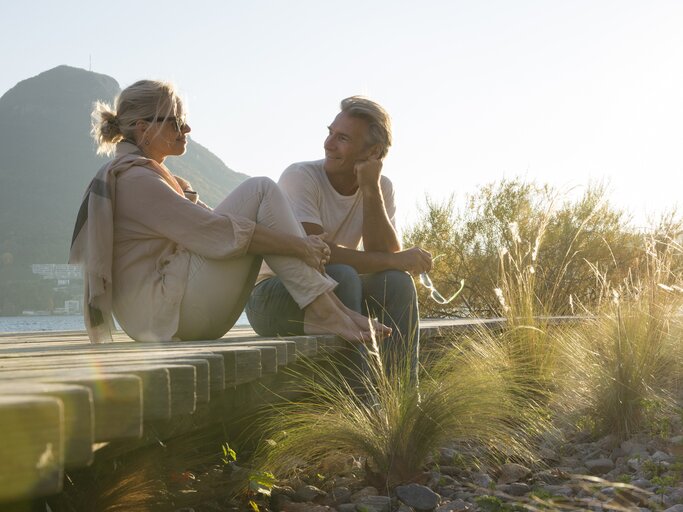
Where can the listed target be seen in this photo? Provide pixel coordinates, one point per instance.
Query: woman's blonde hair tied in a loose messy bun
(146, 99)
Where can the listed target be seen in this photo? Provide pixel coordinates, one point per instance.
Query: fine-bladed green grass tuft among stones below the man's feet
(393, 425)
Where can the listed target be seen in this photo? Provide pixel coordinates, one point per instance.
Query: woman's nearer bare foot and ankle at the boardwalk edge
(324, 316)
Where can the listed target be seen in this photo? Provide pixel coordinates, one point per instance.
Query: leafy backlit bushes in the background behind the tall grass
(570, 238)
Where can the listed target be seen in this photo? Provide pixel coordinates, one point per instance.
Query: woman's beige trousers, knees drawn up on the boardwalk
(217, 290)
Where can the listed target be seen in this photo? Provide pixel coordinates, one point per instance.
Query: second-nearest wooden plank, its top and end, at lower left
(78, 416)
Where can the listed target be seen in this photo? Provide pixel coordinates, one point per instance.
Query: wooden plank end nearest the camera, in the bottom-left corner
(31, 446)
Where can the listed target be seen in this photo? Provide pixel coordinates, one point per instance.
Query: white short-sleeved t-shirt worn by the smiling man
(315, 201)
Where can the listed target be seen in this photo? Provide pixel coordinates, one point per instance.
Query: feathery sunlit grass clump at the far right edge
(626, 363)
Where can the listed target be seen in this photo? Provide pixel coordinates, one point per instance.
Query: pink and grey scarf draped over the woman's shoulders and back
(93, 240)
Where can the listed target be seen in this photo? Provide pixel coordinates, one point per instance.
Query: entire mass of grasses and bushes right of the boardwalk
(525, 256)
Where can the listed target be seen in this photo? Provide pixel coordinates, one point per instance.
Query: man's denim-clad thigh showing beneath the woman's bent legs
(272, 311)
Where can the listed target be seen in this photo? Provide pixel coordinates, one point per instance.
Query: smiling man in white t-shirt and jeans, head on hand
(347, 197)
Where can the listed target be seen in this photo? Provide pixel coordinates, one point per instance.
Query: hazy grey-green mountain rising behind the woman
(47, 159)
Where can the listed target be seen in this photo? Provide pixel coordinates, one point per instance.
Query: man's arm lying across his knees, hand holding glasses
(413, 260)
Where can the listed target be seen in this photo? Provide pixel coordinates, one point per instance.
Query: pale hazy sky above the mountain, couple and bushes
(559, 91)
